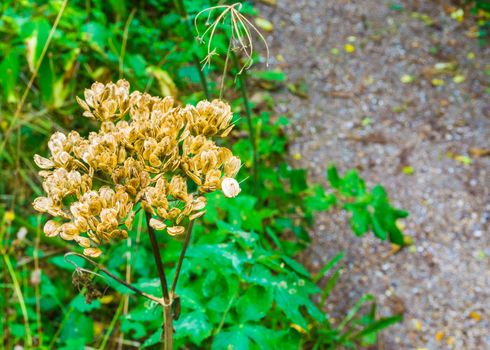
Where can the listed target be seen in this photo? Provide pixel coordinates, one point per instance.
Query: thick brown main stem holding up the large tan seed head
(168, 330)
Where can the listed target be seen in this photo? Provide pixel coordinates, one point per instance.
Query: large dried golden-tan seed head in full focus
(147, 152)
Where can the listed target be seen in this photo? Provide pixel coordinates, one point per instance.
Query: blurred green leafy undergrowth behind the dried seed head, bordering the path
(242, 285)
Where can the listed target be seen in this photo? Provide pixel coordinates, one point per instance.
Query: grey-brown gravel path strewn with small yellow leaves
(360, 114)
